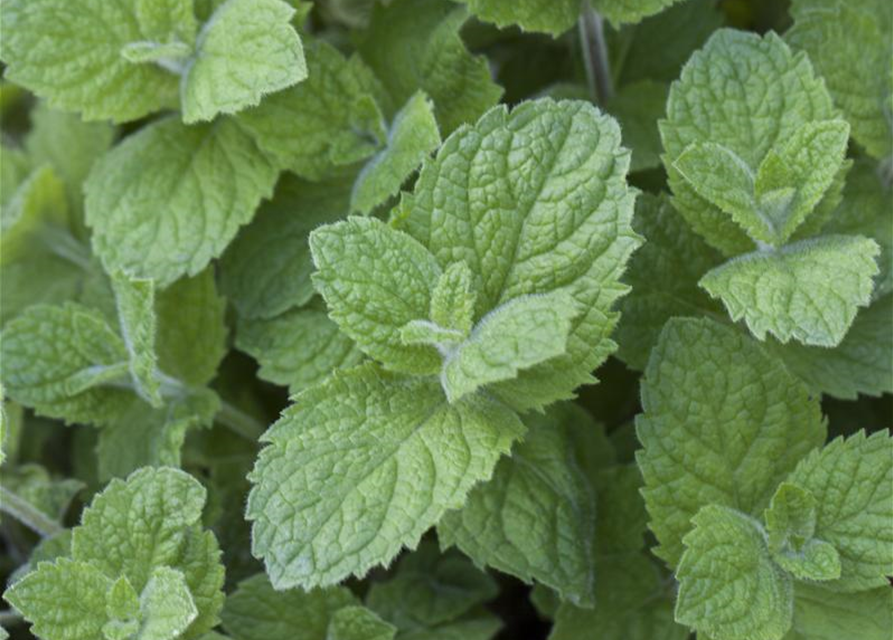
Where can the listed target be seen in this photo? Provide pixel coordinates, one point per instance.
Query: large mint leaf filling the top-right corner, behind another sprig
(857, 69)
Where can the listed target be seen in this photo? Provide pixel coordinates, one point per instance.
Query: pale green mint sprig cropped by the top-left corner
(124, 60)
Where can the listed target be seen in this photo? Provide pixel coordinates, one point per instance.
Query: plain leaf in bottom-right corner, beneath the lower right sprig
(820, 614)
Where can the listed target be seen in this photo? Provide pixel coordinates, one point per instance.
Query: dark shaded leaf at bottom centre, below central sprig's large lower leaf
(430, 591)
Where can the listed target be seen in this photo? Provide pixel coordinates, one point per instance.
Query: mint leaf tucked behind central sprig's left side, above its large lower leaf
(297, 349)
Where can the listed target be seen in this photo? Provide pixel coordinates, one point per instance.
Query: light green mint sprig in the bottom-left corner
(140, 566)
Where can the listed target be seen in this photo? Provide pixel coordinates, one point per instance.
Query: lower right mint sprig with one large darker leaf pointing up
(727, 433)
